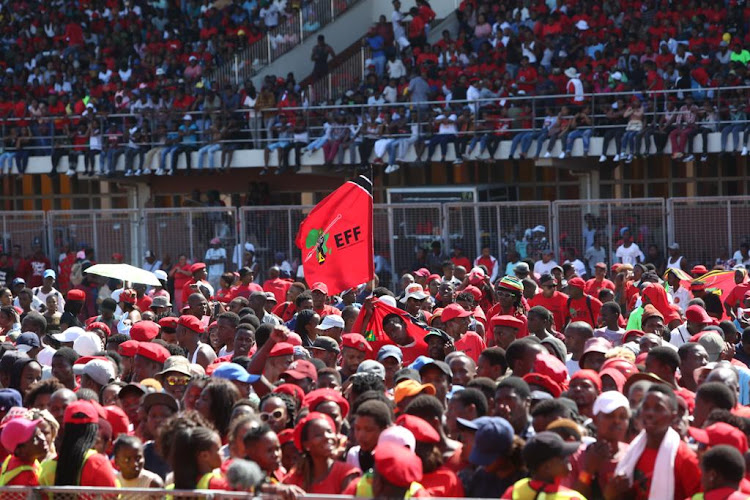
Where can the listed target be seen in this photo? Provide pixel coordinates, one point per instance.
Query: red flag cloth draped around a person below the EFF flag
(375, 334)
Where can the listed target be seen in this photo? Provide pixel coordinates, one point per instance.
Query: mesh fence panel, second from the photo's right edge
(581, 224)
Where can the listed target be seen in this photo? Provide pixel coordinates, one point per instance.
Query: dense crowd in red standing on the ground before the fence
(484, 379)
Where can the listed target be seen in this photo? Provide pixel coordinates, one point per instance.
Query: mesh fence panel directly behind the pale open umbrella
(106, 231)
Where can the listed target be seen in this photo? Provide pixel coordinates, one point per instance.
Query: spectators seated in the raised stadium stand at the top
(130, 80)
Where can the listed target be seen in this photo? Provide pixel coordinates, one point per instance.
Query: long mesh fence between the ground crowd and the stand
(706, 228)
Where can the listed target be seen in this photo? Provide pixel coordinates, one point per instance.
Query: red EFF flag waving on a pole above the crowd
(336, 238)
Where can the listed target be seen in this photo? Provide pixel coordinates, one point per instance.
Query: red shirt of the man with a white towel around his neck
(687, 474)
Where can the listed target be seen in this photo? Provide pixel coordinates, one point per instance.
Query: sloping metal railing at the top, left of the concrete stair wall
(291, 31)
